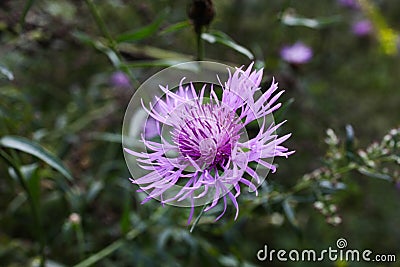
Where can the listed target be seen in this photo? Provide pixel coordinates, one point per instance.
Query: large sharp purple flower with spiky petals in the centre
(205, 152)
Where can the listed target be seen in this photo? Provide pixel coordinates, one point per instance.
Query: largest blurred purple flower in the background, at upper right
(297, 54)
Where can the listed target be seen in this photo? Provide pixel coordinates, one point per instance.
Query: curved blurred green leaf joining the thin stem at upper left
(143, 32)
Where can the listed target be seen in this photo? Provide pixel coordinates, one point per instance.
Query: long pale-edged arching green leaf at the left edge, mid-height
(36, 150)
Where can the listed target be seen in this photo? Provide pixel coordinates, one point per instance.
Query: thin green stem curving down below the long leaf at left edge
(34, 209)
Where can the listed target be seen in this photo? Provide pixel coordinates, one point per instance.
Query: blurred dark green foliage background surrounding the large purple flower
(65, 195)
